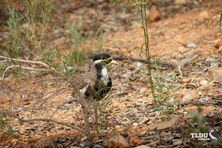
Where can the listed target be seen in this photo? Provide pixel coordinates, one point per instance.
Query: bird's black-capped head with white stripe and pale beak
(103, 59)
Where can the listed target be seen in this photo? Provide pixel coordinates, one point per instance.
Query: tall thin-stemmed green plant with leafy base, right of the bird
(162, 88)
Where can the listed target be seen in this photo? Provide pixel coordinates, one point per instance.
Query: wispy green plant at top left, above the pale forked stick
(29, 31)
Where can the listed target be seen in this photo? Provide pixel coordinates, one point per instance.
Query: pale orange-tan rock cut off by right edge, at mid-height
(215, 74)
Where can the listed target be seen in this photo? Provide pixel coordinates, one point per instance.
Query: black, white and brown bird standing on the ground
(96, 82)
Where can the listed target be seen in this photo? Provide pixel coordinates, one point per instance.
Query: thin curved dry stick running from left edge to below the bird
(45, 120)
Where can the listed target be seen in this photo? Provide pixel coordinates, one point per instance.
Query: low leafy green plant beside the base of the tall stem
(165, 88)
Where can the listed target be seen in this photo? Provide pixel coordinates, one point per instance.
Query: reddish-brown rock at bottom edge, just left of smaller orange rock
(118, 142)
